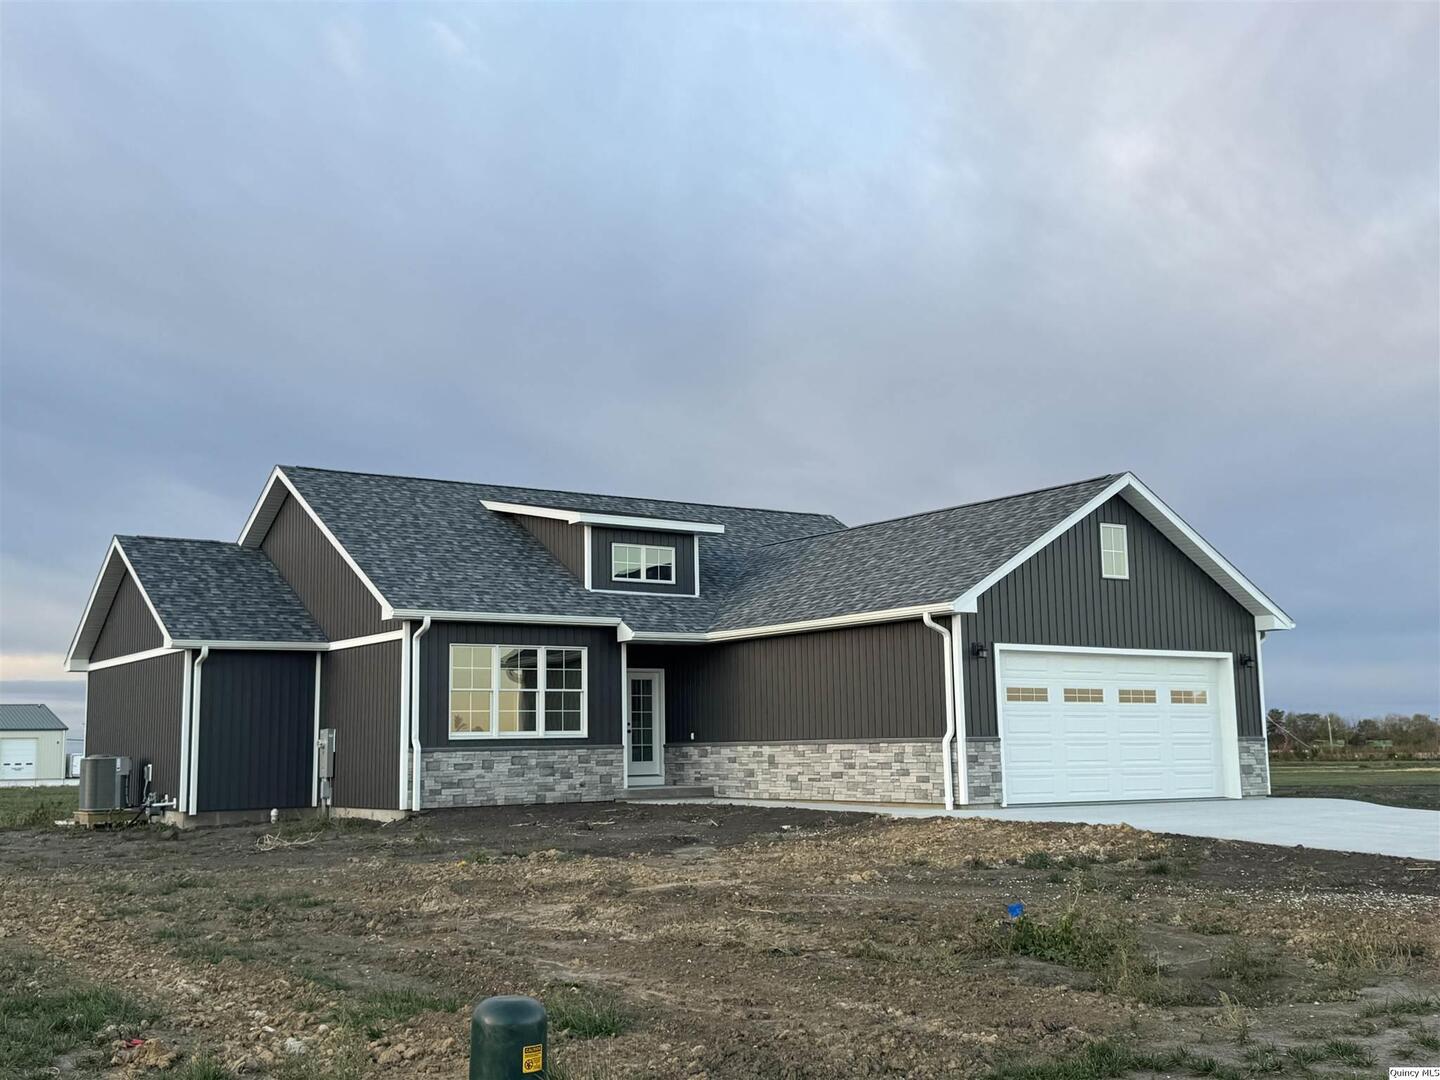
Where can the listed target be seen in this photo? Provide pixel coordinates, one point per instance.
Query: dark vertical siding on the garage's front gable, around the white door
(1061, 598)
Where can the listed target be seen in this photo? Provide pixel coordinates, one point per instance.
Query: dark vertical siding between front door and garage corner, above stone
(882, 682)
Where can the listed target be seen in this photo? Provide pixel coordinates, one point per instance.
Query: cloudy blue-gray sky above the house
(856, 260)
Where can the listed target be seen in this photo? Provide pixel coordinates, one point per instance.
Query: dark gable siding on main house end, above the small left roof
(322, 578)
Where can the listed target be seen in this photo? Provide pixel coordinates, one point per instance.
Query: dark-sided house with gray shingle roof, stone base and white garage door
(470, 644)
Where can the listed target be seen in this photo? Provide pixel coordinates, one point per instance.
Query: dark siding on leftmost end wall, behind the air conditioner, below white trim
(135, 711)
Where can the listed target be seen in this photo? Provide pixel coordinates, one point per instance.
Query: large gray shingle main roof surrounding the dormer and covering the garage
(431, 545)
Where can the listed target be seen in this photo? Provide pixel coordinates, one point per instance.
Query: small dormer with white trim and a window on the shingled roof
(618, 552)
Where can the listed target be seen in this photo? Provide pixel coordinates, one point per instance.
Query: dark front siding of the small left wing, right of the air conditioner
(257, 731)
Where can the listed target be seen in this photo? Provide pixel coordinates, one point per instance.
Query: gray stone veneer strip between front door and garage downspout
(820, 771)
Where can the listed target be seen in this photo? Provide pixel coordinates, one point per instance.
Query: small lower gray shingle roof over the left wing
(218, 591)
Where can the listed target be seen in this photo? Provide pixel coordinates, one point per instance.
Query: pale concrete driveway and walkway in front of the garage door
(1328, 824)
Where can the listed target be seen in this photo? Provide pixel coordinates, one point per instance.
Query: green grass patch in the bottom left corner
(42, 1020)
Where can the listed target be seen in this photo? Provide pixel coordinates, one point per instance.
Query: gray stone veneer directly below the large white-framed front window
(525, 774)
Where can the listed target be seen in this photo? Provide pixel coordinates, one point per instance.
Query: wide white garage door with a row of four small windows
(1107, 728)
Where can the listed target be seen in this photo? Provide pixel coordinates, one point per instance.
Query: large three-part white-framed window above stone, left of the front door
(518, 692)
